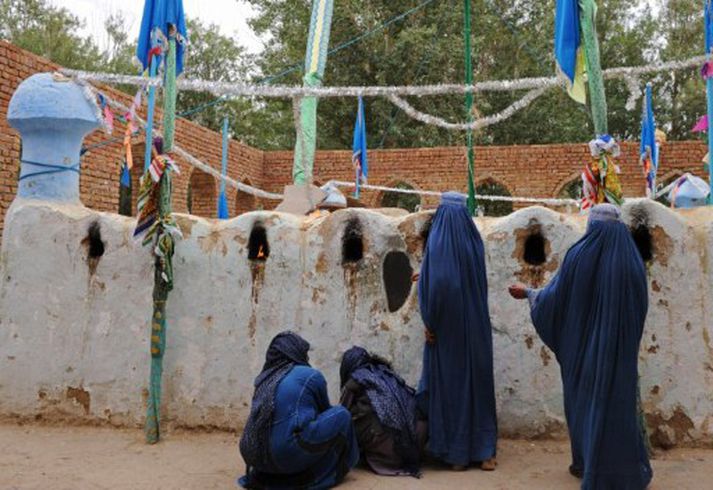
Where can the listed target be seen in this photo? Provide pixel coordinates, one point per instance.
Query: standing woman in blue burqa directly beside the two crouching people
(456, 390)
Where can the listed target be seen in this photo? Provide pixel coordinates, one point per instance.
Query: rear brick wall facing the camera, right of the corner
(526, 171)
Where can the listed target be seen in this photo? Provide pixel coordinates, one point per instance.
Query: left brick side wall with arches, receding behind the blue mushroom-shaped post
(99, 181)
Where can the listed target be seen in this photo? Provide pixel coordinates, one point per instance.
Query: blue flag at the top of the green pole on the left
(159, 14)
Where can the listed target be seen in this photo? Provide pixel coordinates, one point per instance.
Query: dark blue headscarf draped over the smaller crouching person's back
(393, 401)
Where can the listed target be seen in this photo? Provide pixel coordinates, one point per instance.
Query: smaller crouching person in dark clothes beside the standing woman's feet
(383, 408)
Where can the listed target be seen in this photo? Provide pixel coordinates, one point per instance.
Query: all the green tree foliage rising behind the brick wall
(510, 38)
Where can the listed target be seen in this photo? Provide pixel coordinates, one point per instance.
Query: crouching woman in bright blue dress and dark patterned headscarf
(294, 438)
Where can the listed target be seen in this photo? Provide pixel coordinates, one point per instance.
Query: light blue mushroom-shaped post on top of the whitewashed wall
(53, 116)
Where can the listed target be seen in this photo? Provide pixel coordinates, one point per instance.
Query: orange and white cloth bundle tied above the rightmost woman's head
(600, 178)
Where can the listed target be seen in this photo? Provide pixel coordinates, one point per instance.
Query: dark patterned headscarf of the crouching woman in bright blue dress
(286, 350)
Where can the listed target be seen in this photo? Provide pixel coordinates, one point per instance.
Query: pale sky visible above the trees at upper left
(230, 16)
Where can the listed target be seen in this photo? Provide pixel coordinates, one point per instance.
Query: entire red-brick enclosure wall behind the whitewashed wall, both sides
(531, 171)
